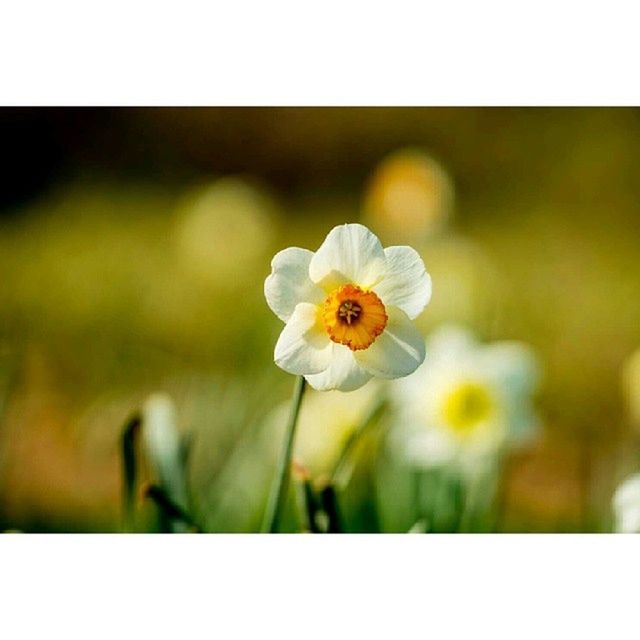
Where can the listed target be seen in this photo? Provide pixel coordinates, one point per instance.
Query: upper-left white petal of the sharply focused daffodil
(289, 282)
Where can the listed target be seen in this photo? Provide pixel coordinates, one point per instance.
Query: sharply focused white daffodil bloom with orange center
(348, 309)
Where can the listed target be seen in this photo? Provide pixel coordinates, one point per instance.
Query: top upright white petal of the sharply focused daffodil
(350, 253)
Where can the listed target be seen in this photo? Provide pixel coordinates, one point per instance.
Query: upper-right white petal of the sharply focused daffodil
(406, 284)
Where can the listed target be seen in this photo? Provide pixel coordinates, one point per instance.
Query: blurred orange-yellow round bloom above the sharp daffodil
(409, 197)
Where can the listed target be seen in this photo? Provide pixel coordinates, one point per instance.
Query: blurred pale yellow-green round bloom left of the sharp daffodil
(225, 229)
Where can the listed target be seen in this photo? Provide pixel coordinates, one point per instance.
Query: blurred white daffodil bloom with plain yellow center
(469, 402)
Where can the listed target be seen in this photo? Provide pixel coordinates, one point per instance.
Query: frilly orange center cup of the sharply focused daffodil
(354, 317)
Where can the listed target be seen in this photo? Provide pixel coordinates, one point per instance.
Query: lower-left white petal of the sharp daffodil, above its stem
(303, 346)
